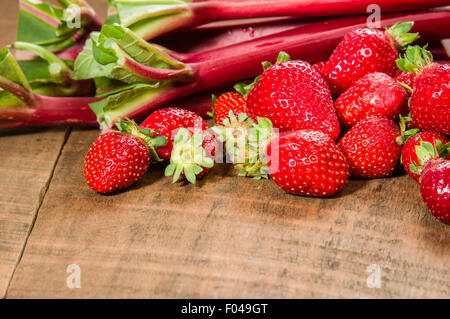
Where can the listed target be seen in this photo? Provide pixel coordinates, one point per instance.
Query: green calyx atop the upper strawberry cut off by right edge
(415, 59)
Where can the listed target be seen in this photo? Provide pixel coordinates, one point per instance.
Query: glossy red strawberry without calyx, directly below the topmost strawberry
(373, 94)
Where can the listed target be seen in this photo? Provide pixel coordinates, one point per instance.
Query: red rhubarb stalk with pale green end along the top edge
(150, 18)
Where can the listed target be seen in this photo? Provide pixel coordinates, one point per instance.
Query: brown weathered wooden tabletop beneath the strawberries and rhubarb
(225, 237)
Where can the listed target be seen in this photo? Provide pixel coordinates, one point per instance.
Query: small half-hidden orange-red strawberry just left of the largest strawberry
(230, 101)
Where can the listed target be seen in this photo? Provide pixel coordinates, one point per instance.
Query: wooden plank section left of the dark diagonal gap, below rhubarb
(26, 165)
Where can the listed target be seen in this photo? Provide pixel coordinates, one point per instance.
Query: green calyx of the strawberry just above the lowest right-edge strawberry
(426, 151)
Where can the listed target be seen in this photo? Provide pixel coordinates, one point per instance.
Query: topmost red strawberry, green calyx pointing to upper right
(365, 51)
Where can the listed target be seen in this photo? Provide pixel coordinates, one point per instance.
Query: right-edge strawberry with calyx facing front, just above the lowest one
(421, 148)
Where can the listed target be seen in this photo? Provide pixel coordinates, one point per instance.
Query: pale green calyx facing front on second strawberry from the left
(188, 157)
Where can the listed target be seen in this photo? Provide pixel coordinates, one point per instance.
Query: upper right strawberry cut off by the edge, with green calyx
(430, 100)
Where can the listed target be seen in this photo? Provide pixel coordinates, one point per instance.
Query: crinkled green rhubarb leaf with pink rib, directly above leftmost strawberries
(117, 53)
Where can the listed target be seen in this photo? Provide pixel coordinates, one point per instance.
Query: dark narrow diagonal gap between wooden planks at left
(40, 201)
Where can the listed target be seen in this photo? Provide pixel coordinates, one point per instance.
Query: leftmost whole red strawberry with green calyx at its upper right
(118, 159)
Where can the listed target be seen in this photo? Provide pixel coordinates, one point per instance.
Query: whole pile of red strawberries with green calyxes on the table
(391, 105)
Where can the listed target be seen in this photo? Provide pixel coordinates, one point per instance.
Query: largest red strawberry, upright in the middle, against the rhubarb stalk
(294, 96)
